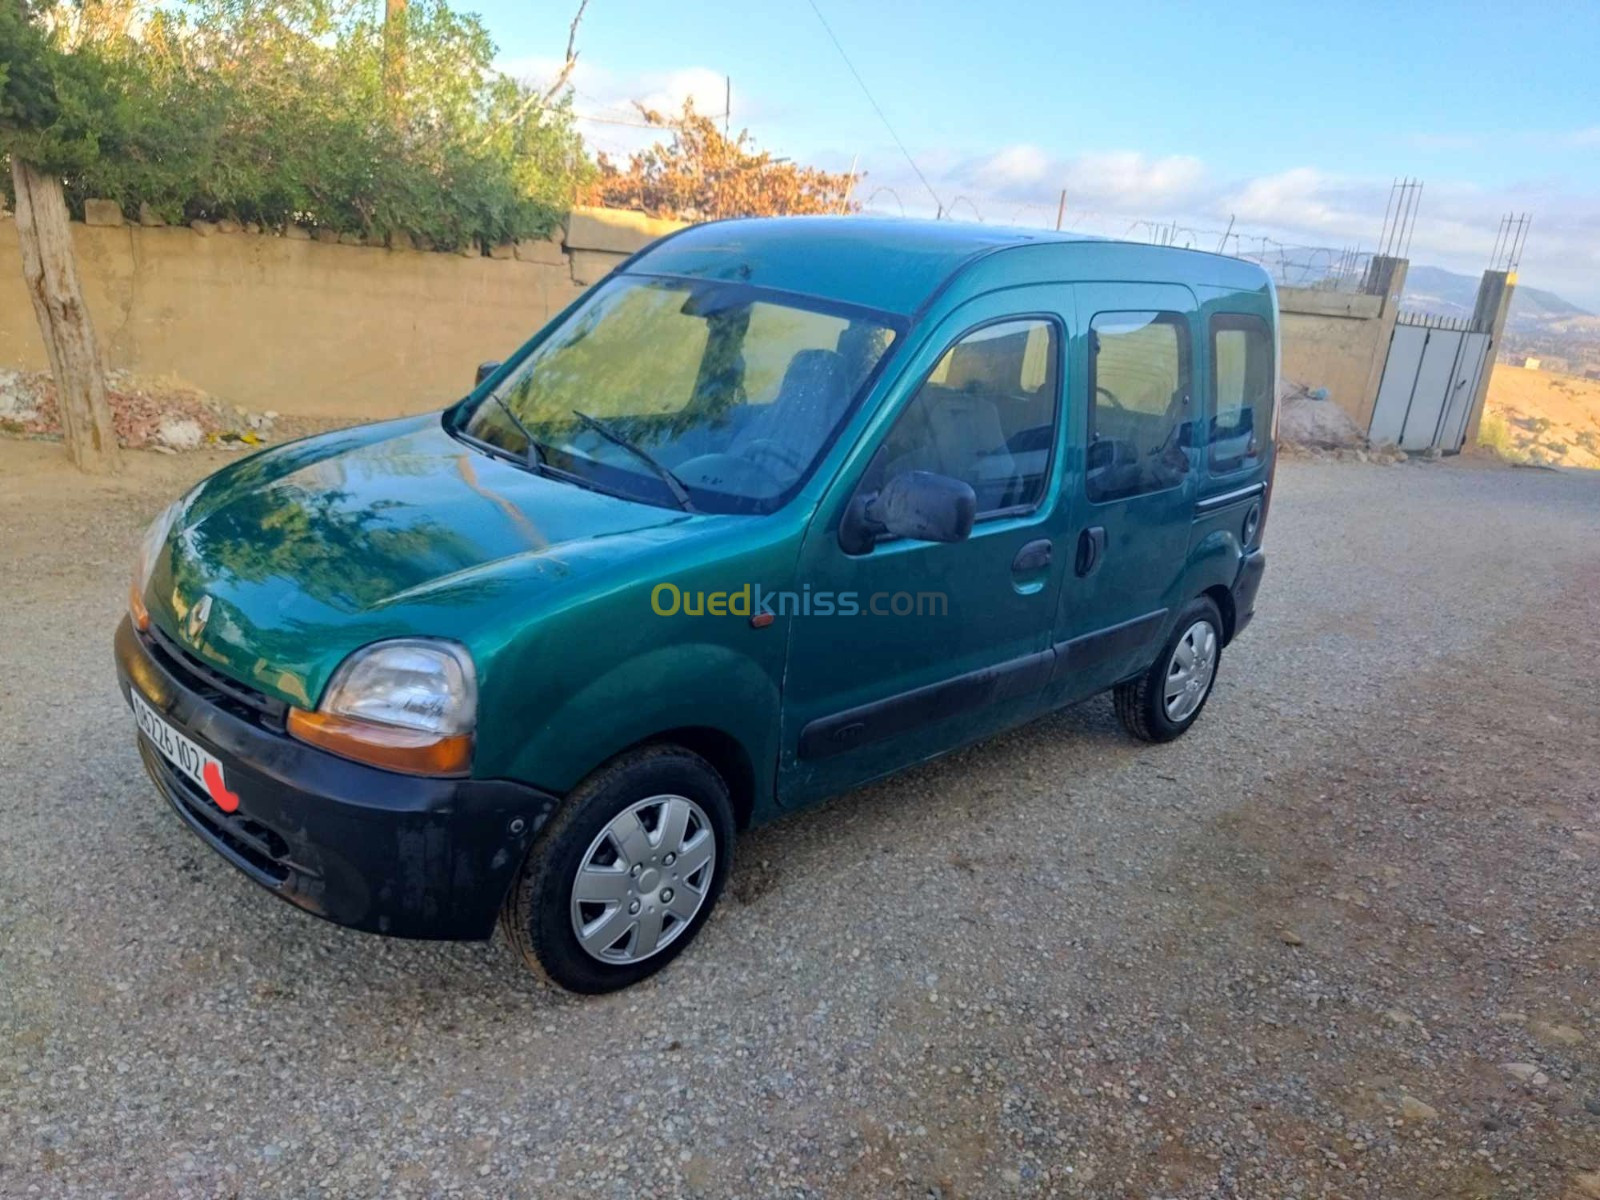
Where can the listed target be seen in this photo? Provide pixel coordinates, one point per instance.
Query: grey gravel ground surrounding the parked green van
(1343, 940)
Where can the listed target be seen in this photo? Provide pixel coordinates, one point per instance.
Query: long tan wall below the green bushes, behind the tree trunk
(308, 329)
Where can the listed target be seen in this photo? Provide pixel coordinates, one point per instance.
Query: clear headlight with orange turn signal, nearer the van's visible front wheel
(407, 706)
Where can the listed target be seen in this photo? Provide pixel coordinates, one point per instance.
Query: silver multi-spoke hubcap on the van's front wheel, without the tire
(644, 879)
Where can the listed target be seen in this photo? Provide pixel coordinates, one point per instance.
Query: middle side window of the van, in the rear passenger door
(1140, 412)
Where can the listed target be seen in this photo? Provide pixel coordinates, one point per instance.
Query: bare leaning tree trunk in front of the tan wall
(52, 276)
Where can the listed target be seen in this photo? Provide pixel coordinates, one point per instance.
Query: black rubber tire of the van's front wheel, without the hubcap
(540, 910)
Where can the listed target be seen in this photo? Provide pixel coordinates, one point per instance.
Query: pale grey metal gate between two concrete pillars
(1430, 380)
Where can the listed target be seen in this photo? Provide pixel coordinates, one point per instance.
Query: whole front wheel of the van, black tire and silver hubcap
(626, 874)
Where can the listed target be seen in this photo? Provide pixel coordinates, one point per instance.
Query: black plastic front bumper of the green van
(358, 846)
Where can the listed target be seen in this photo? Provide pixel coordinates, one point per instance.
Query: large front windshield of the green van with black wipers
(657, 388)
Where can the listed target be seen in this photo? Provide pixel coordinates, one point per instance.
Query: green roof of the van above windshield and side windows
(900, 266)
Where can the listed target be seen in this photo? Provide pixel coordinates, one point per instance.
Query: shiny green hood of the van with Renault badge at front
(313, 550)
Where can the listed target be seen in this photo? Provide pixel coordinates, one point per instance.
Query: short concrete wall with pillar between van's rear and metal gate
(1340, 340)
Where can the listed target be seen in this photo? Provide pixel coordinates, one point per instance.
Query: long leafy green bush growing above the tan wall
(314, 113)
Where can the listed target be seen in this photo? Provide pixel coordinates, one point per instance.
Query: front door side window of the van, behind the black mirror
(985, 415)
